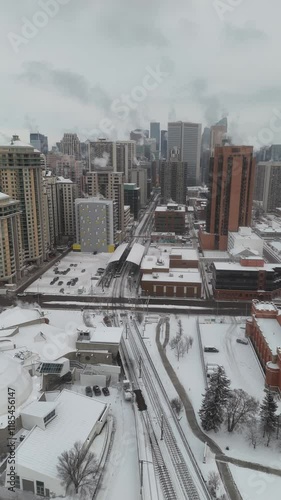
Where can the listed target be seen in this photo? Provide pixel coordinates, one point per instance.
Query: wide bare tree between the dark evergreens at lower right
(240, 408)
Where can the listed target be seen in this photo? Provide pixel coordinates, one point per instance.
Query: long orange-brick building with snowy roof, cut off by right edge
(264, 330)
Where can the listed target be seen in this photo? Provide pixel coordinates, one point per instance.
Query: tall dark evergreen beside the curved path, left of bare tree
(215, 401)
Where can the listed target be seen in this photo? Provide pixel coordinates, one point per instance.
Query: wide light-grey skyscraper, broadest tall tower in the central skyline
(187, 138)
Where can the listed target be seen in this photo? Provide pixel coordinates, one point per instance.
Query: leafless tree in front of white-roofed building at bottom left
(78, 468)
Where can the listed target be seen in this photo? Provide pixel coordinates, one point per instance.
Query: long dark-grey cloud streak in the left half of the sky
(64, 82)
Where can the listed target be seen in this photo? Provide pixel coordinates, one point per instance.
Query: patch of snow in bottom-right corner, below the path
(254, 485)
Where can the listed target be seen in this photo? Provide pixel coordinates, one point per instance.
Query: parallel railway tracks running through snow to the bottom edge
(185, 479)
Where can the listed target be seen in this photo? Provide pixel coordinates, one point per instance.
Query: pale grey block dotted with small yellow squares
(95, 224)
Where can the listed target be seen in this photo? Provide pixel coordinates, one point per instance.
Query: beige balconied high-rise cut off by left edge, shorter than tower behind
(11, 252)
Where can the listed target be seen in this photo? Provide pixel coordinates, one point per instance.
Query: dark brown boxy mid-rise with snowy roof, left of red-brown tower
(170, 218)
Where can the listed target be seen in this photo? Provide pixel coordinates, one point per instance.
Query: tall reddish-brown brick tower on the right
(231, 184)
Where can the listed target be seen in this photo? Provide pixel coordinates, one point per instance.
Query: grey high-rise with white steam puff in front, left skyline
(102, 155)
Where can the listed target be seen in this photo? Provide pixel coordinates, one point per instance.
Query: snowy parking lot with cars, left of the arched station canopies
(83, 266)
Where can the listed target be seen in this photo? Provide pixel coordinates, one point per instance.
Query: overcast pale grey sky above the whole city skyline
(215, 57)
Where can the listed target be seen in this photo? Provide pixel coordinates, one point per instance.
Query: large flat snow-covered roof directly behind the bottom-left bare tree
(76, 417)
